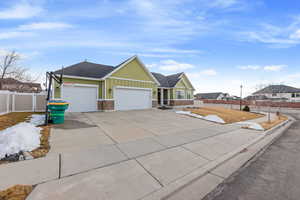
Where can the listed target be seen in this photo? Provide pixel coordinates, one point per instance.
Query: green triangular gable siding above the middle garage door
(133, 70)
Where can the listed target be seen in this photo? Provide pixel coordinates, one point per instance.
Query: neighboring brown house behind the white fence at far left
(14, 85)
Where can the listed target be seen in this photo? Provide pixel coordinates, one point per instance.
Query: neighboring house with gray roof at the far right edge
(278, 93)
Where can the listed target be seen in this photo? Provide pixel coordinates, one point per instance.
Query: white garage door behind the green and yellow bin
(81, 98)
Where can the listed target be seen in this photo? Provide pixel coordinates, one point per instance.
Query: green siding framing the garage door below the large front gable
(111, 83)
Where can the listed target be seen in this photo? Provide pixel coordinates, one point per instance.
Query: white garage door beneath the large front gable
(132, 99)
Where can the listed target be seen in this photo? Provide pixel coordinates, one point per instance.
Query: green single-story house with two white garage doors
(91, 87)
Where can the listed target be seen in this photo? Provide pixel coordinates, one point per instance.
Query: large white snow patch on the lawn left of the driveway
(21, 137)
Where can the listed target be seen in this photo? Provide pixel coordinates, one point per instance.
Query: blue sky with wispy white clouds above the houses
(220, 44)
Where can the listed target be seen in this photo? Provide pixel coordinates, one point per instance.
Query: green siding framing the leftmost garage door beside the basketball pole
(57, 90)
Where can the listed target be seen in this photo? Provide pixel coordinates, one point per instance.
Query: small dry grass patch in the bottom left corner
(17, 192)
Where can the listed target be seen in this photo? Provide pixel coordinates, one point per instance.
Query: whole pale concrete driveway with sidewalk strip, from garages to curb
(124, 155)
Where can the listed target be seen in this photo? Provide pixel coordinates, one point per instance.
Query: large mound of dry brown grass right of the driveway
(228, 115)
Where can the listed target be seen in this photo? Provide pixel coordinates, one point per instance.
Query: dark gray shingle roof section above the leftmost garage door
(87, 69)
